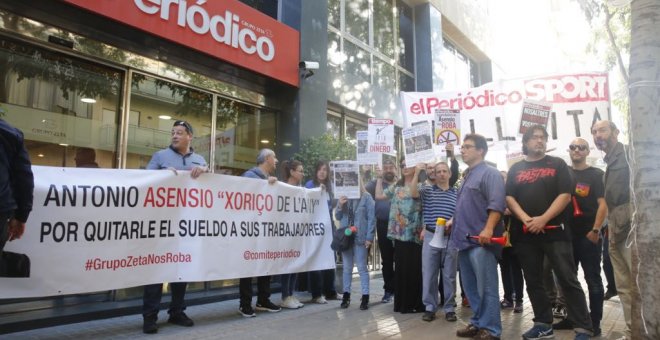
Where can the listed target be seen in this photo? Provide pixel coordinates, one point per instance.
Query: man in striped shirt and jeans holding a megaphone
(438, 201)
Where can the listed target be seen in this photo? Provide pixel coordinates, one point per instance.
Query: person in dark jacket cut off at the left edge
(16, 185)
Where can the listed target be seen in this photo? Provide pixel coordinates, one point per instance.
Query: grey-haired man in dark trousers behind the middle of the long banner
(266, 165)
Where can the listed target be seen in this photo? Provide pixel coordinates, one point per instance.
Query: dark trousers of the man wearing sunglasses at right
(588, 254)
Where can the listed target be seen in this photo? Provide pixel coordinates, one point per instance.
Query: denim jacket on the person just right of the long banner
(364, 217)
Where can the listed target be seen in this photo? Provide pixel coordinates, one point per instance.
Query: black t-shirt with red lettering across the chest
(535, 185)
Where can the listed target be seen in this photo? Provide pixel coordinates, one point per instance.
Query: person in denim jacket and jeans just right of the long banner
(358, 214)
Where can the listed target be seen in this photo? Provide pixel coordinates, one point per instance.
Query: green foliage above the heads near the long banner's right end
(325, 147)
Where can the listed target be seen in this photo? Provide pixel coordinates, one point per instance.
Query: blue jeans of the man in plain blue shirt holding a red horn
(481, 285)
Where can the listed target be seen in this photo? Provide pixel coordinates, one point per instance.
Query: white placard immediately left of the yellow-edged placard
(418, 144)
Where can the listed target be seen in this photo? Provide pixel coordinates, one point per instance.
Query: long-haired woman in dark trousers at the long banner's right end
(322, 282)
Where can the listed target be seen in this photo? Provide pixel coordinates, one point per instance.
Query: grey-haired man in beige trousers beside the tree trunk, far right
(617, 197)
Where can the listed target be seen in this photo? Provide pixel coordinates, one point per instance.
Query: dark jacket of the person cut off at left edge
(16, 179)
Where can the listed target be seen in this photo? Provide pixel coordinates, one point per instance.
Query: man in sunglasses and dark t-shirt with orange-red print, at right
(587, 217)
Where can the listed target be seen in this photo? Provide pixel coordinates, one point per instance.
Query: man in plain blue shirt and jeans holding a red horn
(479, 208)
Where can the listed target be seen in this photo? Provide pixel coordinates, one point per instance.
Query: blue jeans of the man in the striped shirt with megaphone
(434, 262)
